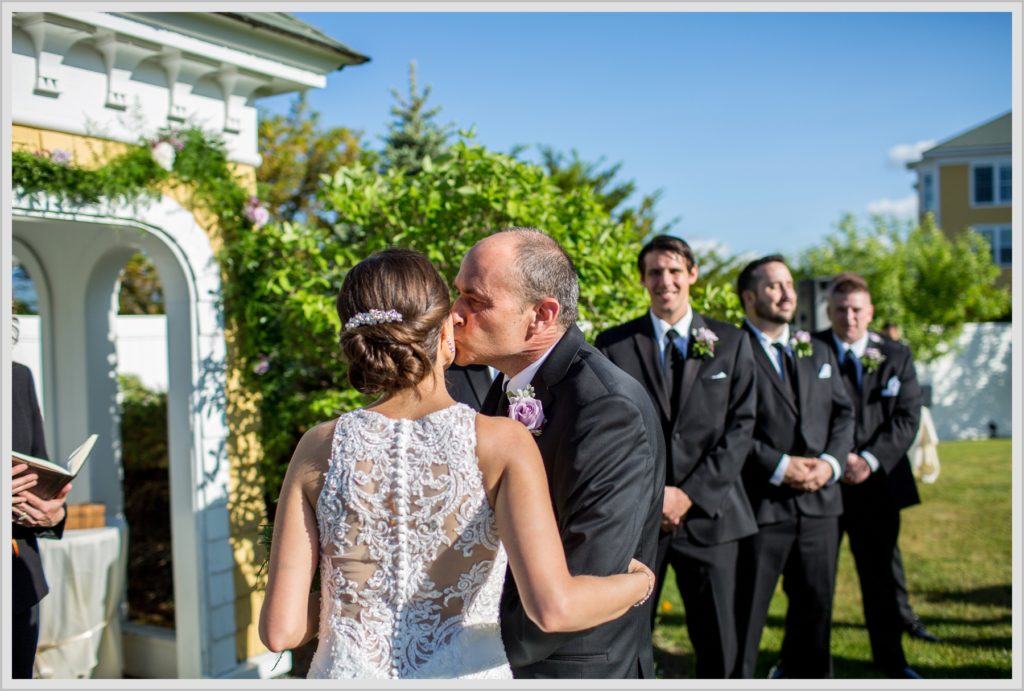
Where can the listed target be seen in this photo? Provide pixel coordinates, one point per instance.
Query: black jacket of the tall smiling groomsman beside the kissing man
(708, 441)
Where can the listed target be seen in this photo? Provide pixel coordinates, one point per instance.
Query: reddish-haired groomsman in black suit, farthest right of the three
(879, 483)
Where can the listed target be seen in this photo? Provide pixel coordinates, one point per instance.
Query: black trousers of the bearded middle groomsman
(803, 551)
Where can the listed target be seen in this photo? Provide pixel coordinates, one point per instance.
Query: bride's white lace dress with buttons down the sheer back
(411, 566)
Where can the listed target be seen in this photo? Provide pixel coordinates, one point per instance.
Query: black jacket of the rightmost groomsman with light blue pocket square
(886, 427)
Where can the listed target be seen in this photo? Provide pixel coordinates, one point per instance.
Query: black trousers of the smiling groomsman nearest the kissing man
(706, 576)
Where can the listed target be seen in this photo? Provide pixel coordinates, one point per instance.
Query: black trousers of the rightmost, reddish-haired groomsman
(874, 536)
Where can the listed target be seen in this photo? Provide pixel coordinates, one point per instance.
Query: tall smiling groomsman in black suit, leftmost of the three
(700, 374)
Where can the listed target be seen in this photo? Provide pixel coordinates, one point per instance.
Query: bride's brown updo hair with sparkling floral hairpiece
(385, 355)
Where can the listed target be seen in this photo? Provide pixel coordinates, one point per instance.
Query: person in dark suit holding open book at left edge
(32, 519)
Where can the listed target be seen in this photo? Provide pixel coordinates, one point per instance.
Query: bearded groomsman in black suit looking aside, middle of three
(802, 437)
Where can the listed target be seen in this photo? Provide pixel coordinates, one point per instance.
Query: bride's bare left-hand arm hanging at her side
(291, 614)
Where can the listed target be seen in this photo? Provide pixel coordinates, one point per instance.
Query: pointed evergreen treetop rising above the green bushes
(413, 135)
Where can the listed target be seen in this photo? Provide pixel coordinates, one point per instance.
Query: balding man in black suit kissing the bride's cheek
(601, 443)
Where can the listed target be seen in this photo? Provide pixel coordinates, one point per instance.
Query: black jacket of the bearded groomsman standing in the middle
(819, 421)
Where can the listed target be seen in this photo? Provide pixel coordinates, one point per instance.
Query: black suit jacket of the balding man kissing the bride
(602, 447)
